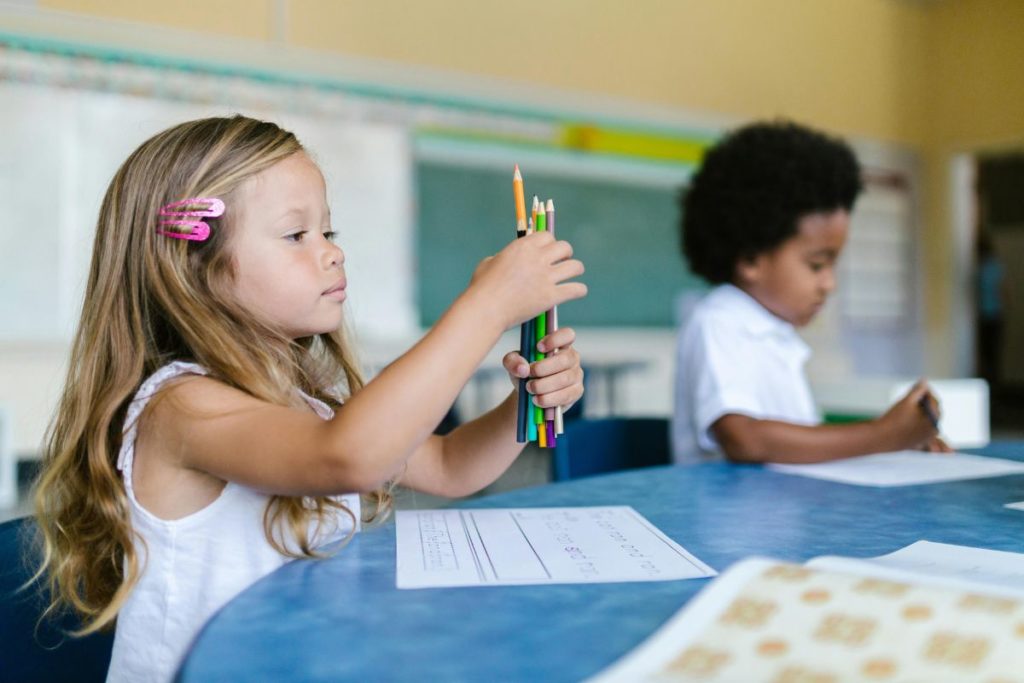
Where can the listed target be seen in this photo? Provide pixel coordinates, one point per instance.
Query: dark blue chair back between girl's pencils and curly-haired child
(593, 447)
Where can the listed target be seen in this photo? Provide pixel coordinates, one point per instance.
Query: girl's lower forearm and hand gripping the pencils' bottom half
(476, 454)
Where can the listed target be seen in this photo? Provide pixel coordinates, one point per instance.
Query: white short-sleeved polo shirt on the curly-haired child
(735, 357)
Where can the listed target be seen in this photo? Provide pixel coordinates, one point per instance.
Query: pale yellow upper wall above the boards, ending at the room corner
(851, 66)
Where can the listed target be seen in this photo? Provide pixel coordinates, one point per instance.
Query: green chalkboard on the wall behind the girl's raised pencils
(626, 235)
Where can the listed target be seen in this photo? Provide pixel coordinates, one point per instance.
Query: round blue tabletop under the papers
(343, 619)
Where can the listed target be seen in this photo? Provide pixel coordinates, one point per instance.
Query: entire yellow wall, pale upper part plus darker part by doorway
(940, 76)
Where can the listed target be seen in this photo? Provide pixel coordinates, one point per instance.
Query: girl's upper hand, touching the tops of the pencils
(527, 278)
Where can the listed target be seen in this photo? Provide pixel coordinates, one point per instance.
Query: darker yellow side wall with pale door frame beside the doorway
(975, 103)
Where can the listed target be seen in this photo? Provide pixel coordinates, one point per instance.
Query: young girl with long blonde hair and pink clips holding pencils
(197, 447)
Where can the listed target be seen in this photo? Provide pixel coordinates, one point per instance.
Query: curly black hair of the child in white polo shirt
(753, 189)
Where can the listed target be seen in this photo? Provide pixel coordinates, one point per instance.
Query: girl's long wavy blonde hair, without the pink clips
(150, 301)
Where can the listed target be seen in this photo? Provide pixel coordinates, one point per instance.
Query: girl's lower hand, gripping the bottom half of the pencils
(559, 379)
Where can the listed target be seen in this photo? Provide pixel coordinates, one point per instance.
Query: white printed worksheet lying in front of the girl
(503, 547)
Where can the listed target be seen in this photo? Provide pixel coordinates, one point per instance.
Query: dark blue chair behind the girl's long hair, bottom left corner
(45, 654)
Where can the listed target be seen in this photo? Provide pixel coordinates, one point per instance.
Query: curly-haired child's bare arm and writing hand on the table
(906, 425)
